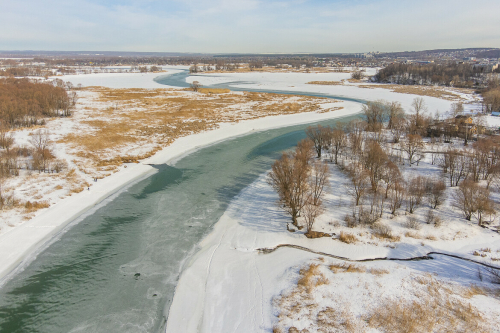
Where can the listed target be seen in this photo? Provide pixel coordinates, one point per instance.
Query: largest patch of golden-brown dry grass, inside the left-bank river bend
(150, 119)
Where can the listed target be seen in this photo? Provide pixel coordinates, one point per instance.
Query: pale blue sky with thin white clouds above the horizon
(248, 26)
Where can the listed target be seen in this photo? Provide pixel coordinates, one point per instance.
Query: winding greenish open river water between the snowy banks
(116, 270)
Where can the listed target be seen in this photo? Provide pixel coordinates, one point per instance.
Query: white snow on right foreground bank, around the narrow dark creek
(228, 286)
